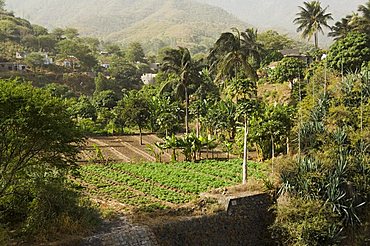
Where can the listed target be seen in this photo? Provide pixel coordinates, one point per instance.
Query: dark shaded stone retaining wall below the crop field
(245, 222)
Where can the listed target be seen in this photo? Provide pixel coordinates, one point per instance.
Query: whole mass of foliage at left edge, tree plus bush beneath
(40, 144)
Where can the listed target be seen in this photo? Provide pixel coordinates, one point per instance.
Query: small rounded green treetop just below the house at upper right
(288, 69)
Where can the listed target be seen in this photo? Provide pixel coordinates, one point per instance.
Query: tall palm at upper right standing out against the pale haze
(311, 19)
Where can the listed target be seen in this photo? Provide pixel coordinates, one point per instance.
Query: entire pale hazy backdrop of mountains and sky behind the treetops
(170, 22)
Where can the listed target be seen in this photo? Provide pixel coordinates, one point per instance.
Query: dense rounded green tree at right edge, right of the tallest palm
(349, 53)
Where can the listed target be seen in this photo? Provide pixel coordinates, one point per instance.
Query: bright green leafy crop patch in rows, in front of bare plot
(161, 185)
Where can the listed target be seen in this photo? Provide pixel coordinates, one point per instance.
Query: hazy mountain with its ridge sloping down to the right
(154, 23)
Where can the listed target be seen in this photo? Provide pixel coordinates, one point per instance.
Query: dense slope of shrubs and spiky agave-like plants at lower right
(332, 169)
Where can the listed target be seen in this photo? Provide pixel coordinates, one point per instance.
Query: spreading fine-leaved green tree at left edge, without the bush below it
(36, 130)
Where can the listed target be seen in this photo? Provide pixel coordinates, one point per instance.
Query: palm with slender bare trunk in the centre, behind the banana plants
(180, 62)
